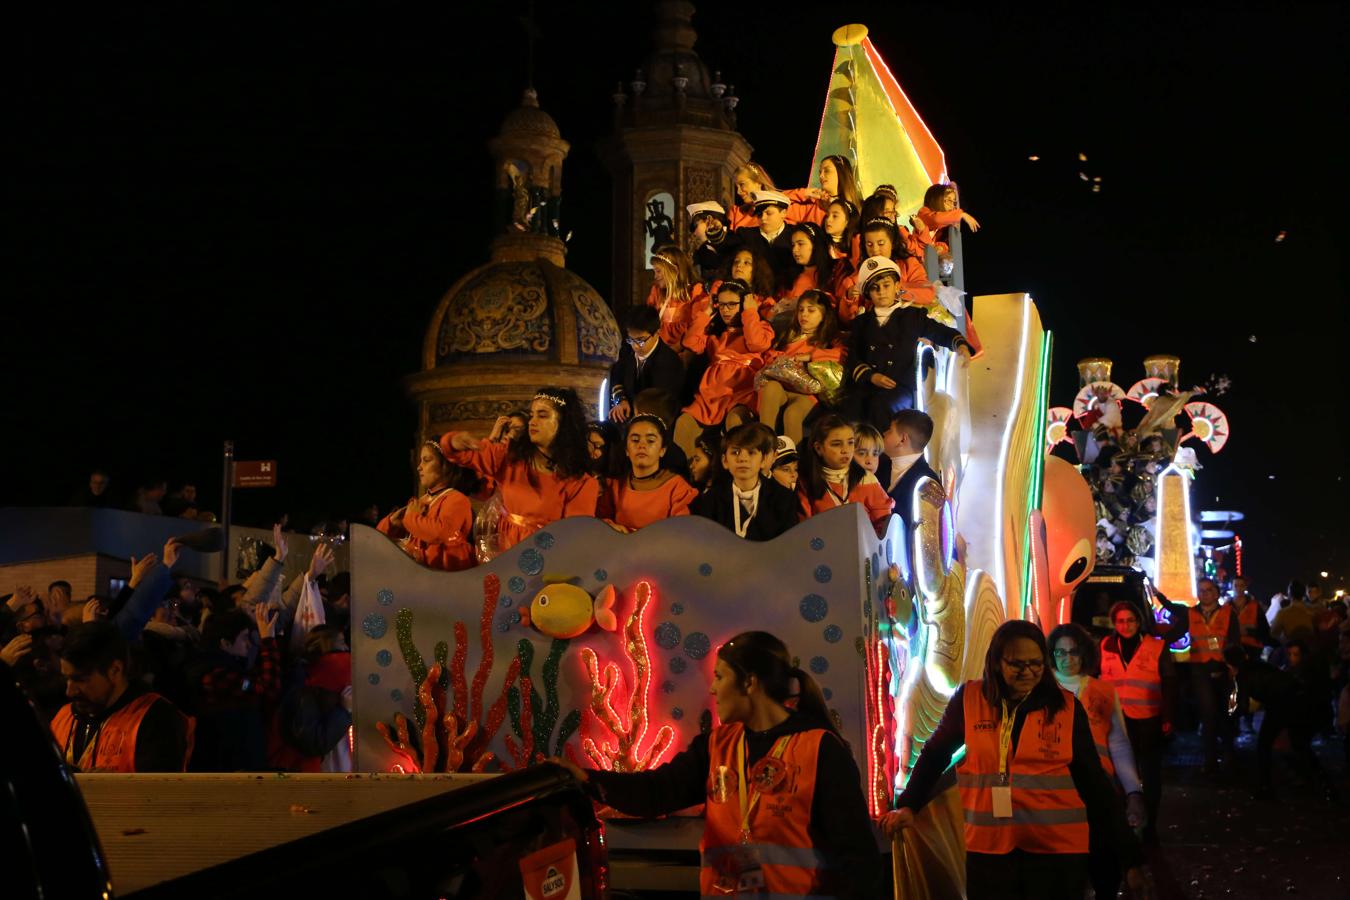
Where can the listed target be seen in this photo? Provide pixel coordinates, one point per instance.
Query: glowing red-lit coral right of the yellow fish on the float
(627, 756)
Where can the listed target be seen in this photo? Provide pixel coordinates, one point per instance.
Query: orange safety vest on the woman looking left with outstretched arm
(778, 793)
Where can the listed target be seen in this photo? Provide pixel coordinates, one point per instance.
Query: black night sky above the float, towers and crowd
(234, 221)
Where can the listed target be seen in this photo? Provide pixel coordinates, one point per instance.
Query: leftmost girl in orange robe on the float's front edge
(437, 528)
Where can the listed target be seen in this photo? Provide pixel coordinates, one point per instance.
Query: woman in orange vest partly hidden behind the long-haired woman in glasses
(1074, 652)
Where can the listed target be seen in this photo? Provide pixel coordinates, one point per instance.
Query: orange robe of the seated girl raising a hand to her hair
(734, 358)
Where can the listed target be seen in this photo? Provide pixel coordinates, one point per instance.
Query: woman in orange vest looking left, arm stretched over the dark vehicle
(785, 813)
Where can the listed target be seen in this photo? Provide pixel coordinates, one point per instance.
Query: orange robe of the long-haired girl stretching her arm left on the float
(529, 507)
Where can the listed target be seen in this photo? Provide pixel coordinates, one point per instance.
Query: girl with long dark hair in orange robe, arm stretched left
(543, 472)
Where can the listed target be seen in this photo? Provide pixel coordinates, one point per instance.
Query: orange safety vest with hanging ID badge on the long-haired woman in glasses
(1048, 814)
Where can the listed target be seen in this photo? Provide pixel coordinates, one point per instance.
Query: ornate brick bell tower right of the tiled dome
(674, 144)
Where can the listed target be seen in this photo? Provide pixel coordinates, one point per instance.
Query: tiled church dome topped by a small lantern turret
(523, 320)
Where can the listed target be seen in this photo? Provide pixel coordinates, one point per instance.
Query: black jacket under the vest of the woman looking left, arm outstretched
(839, 812)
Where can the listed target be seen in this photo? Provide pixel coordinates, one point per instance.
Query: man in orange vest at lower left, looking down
(113, 725)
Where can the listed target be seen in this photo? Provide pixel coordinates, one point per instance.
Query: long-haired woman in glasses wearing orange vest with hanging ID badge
(1031, 779)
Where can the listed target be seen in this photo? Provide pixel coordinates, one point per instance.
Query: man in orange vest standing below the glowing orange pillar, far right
(1214, 628)
